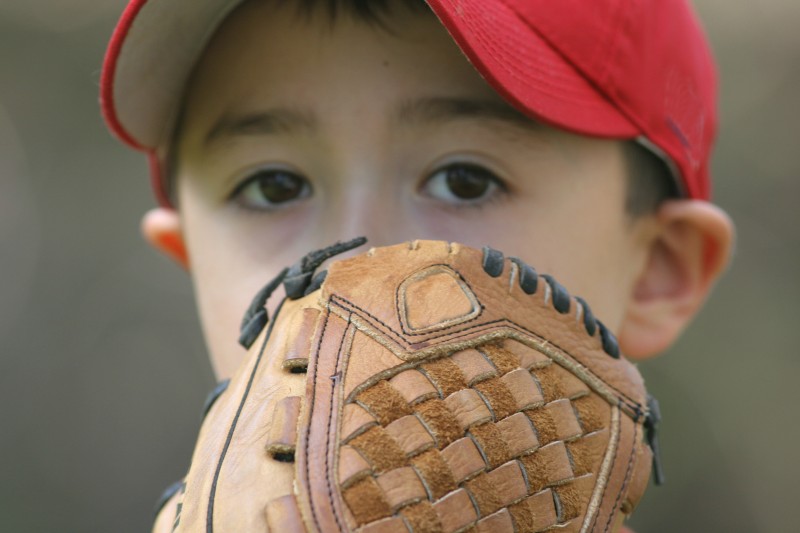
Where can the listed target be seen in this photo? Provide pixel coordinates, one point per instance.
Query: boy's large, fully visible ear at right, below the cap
(691, 247)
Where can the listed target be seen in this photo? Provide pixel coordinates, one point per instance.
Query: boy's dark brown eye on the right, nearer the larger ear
(462, 183)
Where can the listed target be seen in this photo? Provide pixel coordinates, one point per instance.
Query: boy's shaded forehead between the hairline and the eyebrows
(253, 78)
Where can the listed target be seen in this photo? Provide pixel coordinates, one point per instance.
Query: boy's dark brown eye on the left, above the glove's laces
(270, 188)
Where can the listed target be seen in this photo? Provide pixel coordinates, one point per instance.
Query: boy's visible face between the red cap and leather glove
(300, 132)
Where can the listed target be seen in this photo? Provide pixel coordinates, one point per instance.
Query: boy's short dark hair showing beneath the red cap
(650, 181)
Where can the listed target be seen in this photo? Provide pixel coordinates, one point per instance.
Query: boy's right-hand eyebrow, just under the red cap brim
(443, 109)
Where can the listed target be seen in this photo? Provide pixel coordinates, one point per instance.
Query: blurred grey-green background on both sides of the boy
(103, 369)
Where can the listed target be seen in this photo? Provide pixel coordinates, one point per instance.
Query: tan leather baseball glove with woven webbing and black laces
(424, 387)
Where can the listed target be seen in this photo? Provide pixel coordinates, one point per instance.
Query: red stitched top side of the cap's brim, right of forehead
(527, 71)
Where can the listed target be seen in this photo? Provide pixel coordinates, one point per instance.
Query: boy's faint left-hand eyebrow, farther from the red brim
(267, 122)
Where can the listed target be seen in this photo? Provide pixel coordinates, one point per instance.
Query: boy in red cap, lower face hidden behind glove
(575, 135)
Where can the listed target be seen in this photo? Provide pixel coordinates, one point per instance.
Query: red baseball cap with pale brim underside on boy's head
(625, 69)
